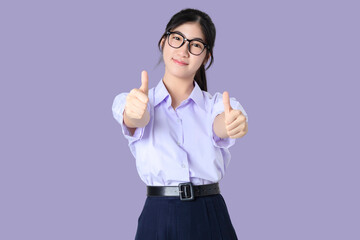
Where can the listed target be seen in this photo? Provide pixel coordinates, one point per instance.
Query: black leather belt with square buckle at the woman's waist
(186, 191)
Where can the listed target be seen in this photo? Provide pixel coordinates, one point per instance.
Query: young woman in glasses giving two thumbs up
(179, 135)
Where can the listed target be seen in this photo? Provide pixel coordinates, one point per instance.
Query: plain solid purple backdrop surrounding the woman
(67, 172)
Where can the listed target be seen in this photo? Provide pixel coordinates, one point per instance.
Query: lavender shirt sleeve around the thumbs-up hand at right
(218, 108)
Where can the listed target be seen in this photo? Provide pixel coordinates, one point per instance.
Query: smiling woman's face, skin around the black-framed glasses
(190, 30)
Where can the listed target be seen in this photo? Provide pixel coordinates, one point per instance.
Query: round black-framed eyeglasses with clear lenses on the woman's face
(177, 39)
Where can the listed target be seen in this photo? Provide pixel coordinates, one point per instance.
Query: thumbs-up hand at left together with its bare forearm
(136, 104)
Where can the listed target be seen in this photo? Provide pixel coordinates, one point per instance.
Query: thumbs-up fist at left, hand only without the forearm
(137, 99)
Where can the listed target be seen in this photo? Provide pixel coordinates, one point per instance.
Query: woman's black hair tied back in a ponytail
(209, 31)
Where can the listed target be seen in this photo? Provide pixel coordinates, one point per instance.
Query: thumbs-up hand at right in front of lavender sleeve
(235, 122)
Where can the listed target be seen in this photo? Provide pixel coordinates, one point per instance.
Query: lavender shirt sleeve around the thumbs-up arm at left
(118, 108)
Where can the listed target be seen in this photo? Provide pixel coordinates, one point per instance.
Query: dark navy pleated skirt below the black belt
(169, 218)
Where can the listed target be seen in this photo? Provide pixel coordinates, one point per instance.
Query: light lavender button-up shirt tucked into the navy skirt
(179, 145)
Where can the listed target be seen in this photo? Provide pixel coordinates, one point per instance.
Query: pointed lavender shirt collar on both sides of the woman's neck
(162, 93)
